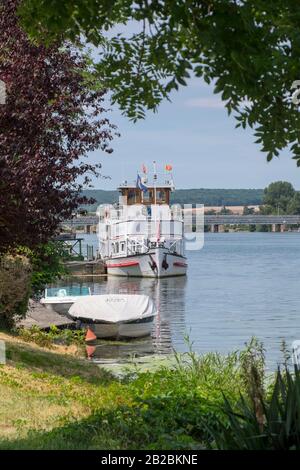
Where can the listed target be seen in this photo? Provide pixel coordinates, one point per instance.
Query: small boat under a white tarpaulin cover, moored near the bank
(115, 315)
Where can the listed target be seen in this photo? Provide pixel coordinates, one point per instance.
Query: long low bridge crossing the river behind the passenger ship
(215, 222)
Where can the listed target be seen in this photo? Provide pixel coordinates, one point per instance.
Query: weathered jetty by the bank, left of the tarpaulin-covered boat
(40, 316)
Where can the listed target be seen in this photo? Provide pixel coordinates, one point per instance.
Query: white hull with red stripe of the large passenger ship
(157, 263)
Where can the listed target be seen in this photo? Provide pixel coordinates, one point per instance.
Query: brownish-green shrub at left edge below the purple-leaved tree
(15, 275)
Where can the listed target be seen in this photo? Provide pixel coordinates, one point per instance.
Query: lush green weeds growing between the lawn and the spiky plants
(174, 407)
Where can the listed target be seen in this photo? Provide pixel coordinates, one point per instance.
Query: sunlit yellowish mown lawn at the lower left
(41, 390)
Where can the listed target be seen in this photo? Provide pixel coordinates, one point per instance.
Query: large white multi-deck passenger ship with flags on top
(143, 235)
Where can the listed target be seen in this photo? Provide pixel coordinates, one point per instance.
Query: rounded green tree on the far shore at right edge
(277, 197)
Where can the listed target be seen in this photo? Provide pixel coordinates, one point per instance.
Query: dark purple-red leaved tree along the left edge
(51, 119)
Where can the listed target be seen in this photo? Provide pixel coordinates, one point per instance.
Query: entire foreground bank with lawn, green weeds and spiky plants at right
(53, 399)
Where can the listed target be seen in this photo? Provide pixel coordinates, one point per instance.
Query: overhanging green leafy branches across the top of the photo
(248, 49)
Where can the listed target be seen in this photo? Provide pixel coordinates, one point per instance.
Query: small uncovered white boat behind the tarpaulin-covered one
(60, 299)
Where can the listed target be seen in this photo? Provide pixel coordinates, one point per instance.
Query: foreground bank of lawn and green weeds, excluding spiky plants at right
(53, 400)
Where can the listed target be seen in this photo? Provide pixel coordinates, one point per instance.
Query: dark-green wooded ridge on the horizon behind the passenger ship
(209, 197)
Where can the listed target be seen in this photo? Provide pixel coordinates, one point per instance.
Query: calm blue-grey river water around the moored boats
(238, 285)
